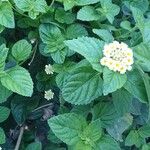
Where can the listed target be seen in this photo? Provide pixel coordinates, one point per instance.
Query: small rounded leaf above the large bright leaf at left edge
(21, 50)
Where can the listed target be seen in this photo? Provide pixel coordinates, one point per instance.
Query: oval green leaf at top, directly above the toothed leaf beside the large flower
(88, 13)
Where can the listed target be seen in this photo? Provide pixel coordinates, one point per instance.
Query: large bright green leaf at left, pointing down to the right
(18, 80)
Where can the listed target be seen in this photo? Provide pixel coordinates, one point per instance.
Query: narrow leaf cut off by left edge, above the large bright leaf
(3, 56)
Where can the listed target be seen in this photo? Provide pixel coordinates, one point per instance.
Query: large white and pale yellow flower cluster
(117, 57)
